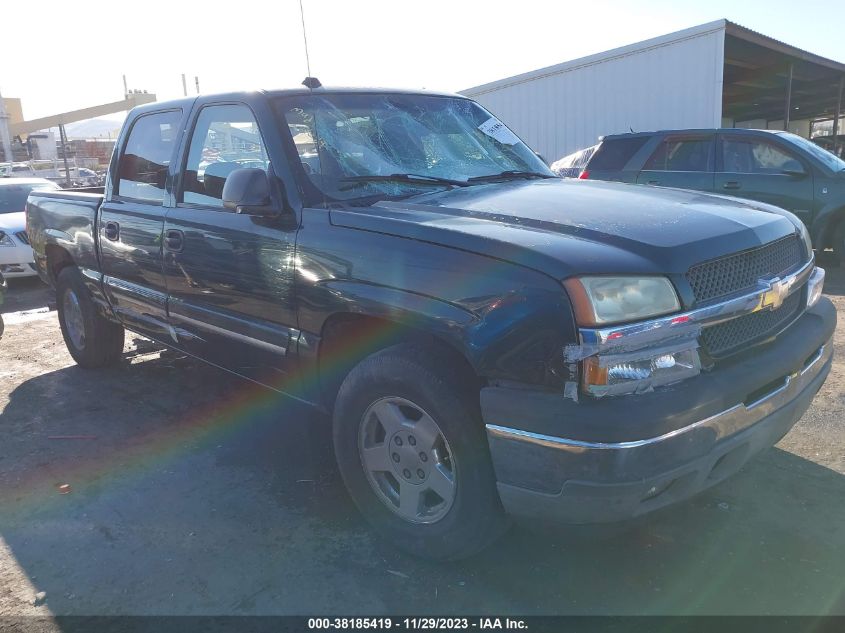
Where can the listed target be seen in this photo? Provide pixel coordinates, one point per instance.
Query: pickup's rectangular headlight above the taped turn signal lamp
(606, 300)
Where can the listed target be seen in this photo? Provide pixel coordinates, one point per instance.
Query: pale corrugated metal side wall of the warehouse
(658, 84)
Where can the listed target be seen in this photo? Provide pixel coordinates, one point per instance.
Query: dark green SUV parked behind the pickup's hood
(778, 168)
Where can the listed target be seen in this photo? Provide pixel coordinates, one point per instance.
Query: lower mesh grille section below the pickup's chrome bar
(725, 338)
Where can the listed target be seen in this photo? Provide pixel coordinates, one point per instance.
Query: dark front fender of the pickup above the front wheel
(509, 322)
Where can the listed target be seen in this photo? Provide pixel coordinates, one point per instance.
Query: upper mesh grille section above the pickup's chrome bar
(741, 271)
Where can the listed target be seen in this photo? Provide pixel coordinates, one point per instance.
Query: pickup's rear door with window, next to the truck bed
(131, 221)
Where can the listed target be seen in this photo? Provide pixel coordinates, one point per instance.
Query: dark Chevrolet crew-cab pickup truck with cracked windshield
(490, 340)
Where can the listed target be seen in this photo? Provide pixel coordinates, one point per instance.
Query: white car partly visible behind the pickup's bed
(16, 258)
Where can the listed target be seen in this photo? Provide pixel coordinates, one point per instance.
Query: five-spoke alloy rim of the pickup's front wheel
(407, 460)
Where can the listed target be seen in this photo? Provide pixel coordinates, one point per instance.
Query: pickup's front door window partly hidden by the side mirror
(225, 138)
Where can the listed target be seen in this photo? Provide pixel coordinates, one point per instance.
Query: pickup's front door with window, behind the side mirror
(230, 276)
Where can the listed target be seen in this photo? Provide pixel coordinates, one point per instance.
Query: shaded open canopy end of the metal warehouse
(768, 79)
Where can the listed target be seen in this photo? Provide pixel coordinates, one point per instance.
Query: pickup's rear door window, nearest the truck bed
(142, 168)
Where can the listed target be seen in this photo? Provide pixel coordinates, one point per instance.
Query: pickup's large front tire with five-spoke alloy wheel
(452, 490)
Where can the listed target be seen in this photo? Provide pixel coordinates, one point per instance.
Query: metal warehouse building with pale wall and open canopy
(718, 74)
